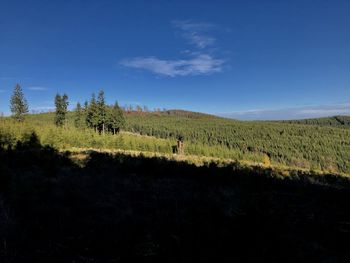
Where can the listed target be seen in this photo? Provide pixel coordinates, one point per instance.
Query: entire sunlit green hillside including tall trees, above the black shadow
(97, 125)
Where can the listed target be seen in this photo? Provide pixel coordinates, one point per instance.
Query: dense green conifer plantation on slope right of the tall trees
(320, 148)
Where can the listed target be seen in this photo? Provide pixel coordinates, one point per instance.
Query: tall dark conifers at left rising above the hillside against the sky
(95, 114)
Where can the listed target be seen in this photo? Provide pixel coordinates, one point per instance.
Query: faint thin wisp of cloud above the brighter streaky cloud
(196, 33)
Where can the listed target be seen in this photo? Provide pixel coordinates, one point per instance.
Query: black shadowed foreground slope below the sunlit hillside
(119, 208)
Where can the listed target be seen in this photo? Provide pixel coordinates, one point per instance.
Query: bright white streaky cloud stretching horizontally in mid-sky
(198, 65)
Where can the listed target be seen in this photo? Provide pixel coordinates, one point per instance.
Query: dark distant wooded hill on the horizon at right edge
(335, 121)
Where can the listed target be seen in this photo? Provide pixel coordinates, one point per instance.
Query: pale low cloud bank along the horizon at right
(291, 113)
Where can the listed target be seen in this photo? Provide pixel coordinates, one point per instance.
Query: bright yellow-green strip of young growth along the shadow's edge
(68, 137)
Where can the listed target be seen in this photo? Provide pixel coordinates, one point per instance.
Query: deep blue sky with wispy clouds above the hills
(244, 59)
